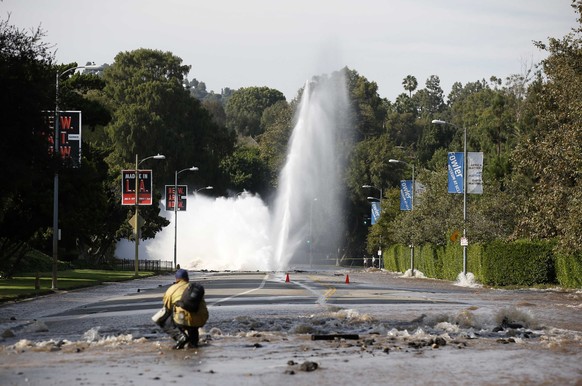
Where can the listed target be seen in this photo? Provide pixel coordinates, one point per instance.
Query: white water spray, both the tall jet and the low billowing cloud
(304, 224)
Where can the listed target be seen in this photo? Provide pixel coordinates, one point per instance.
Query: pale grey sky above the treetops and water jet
(281, 44)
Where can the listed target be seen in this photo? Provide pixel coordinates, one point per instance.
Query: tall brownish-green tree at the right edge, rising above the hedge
(549, 156)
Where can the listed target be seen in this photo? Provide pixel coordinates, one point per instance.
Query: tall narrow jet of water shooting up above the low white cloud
(308, 212)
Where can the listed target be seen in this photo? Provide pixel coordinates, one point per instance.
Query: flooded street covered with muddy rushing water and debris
(379, 328)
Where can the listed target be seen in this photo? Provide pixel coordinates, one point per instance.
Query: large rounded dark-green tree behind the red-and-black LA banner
(154, 113)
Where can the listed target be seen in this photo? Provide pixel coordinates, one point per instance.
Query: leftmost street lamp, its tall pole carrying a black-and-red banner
(56, 178)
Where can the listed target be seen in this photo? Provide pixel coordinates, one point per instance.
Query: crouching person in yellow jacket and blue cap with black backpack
(189, 311)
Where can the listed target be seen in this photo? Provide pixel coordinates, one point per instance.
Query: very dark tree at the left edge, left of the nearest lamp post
(27, 85)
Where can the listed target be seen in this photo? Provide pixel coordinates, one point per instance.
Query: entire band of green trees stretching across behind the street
(528, 126)
